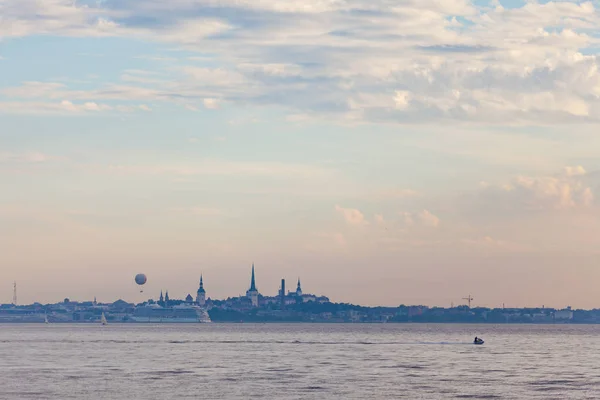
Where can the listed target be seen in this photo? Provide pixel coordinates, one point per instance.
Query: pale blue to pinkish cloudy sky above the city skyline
(385, 152)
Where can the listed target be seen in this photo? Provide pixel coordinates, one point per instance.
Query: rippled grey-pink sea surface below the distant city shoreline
(298, 361)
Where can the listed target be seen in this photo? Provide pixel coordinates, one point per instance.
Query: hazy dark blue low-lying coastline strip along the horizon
(300, 312)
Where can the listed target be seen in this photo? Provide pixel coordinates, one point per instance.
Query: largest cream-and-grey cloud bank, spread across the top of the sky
(347, 61)
